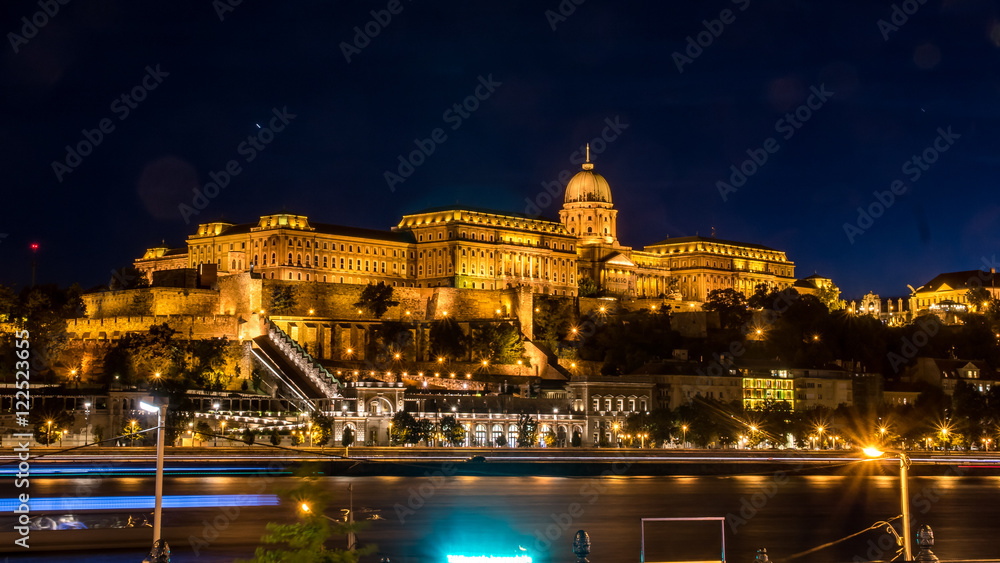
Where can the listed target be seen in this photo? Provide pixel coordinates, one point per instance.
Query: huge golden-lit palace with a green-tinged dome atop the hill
(471, 248)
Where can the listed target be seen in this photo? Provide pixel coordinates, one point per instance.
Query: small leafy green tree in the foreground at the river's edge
(304, 541)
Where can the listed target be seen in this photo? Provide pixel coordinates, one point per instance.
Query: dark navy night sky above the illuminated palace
(889, 95)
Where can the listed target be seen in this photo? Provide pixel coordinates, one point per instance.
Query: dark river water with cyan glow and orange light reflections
(426, 518)
